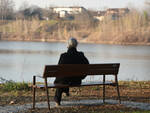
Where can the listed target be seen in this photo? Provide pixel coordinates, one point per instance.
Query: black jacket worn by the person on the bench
(72, 56)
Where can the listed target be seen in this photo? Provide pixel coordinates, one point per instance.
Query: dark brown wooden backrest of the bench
(69, 70)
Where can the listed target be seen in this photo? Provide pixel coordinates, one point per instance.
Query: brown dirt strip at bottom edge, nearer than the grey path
(107, 108)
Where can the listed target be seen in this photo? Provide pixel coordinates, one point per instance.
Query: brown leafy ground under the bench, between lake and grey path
(128, 91)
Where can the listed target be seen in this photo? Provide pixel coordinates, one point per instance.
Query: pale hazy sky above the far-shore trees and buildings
(90, 4)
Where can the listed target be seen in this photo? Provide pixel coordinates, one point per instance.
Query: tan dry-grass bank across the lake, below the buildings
(132, 28)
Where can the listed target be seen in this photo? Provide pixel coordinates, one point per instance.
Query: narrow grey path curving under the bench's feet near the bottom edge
(19, 108)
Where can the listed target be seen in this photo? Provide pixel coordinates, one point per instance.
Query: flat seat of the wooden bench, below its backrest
(83, 84)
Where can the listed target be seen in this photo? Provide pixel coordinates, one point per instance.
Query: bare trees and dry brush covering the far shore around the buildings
(28, 25)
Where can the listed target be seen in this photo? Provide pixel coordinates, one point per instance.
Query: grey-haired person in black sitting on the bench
(72, 56)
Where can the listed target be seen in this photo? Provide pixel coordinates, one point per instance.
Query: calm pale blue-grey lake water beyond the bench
(19, 61)
